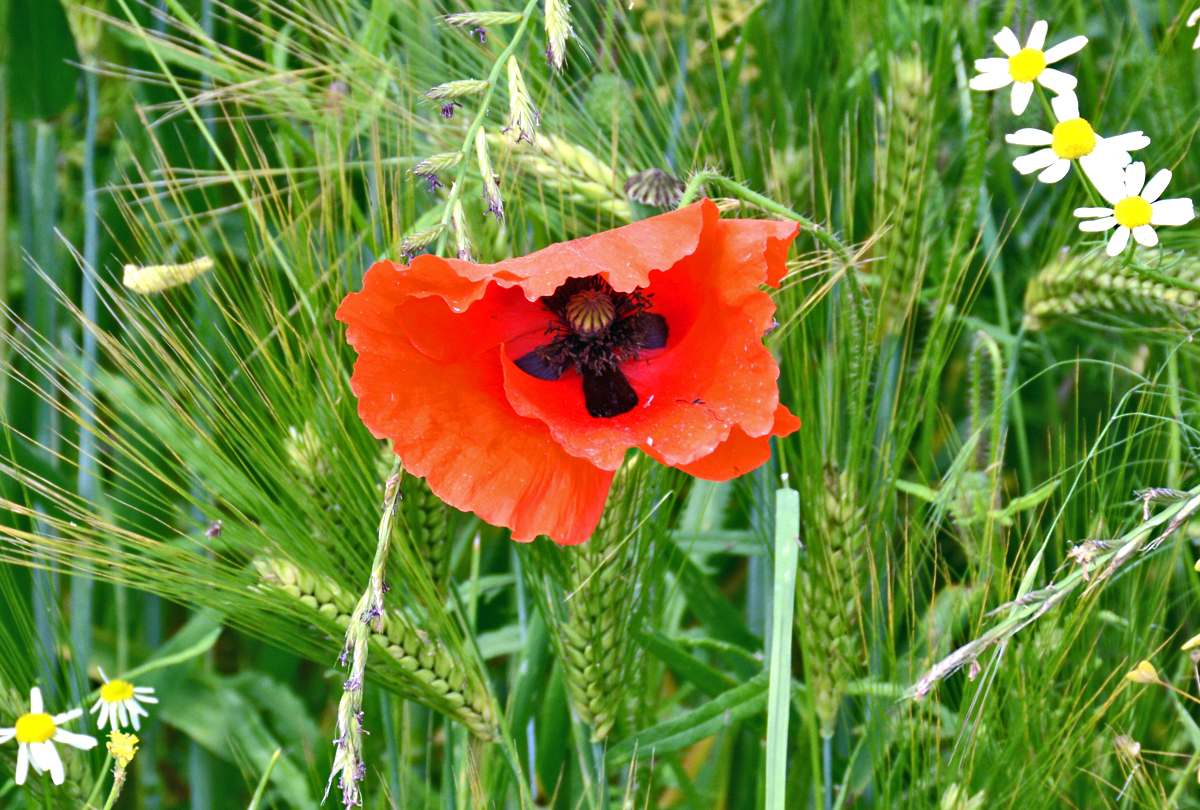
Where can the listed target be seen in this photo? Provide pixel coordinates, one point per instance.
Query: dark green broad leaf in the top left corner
(41, 59)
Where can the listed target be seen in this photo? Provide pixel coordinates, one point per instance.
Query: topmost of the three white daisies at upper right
(1024, 67)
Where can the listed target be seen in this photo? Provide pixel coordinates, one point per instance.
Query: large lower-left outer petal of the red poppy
(452, 424)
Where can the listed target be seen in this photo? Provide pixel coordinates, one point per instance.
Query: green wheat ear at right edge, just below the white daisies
(1094, 284)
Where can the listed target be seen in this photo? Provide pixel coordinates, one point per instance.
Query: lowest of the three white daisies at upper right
(1136, 209)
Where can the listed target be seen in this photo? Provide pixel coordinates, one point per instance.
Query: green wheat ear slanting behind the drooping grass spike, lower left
(437, 681)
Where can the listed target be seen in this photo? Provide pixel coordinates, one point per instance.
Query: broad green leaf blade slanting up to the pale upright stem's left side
(733, 707)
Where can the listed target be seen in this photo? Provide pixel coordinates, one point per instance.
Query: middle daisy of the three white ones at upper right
(1075, 140)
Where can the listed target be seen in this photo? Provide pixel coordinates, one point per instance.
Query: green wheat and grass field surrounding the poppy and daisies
(982, 393)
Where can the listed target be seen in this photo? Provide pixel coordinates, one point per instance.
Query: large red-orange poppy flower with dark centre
(517, 388)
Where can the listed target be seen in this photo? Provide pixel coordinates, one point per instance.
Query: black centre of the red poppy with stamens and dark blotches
(597, 331)
